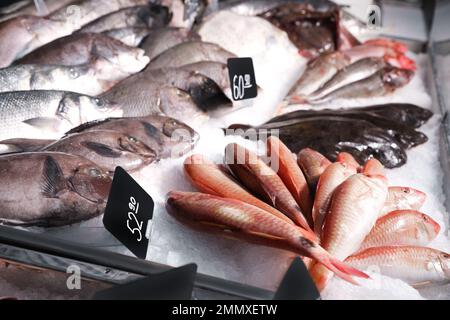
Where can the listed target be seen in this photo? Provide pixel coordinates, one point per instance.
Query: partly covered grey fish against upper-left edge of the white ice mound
(160, 40)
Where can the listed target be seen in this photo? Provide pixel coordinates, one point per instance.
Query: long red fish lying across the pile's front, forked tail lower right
(245, 219)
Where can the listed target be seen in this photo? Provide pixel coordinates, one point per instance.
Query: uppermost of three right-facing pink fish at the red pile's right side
(403, 198)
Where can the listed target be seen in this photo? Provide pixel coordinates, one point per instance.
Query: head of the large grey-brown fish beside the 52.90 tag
(91, 182)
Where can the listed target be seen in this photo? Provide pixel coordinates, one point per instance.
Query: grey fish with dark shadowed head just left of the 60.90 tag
(205, 93)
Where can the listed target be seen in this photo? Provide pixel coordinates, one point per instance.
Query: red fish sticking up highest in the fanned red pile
(291, 174)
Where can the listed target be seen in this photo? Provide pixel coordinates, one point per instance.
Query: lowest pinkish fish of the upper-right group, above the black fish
(381, 83)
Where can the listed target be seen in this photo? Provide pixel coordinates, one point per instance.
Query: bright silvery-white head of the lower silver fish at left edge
(78, 109)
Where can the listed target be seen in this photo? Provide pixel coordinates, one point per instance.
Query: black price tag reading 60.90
(242, 78)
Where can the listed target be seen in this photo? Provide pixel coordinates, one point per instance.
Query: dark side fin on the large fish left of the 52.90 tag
(53, 180)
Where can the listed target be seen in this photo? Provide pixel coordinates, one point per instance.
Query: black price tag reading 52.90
(128, 212)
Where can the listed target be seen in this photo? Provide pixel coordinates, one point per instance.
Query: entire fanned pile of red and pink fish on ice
(315, 208)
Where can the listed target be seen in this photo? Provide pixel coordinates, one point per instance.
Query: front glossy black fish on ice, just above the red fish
(331, 135)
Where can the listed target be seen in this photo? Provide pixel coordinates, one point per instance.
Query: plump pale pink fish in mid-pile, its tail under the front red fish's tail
(354, 209)
